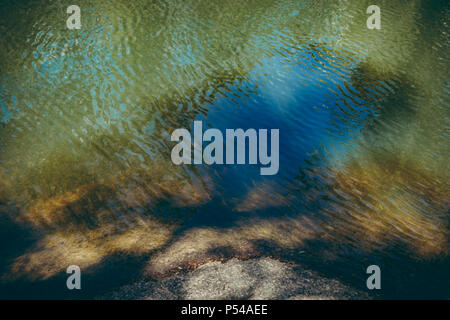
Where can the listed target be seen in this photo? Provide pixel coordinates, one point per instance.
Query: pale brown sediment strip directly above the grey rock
(201, 245)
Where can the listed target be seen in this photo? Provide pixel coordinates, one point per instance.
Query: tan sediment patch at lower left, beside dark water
(56, 251)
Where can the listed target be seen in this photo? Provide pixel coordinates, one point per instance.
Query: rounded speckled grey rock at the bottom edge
(261, 278)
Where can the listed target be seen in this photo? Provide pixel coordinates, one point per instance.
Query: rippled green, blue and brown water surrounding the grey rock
(86, 117)
